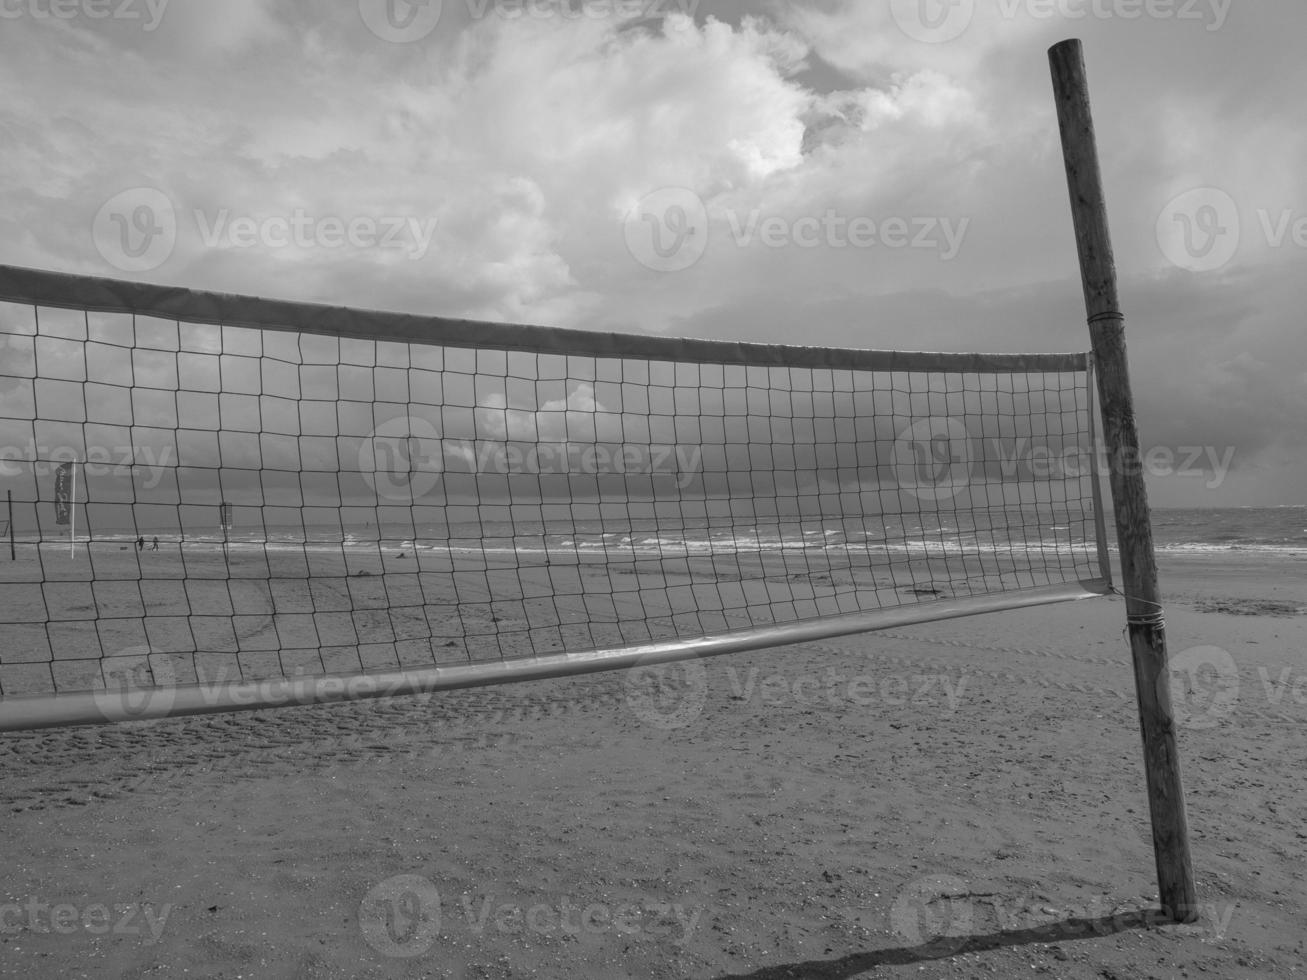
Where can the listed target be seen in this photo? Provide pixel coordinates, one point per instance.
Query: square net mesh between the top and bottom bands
(210, 502)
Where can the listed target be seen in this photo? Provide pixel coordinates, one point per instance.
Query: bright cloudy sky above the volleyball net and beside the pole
(882, 174)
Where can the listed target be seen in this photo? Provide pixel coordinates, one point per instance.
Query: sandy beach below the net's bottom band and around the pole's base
(953, 800)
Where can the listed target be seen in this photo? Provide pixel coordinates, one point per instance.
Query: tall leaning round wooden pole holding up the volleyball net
(1121, 440)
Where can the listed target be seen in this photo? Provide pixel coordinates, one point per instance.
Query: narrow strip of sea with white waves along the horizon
(1033, 530)
